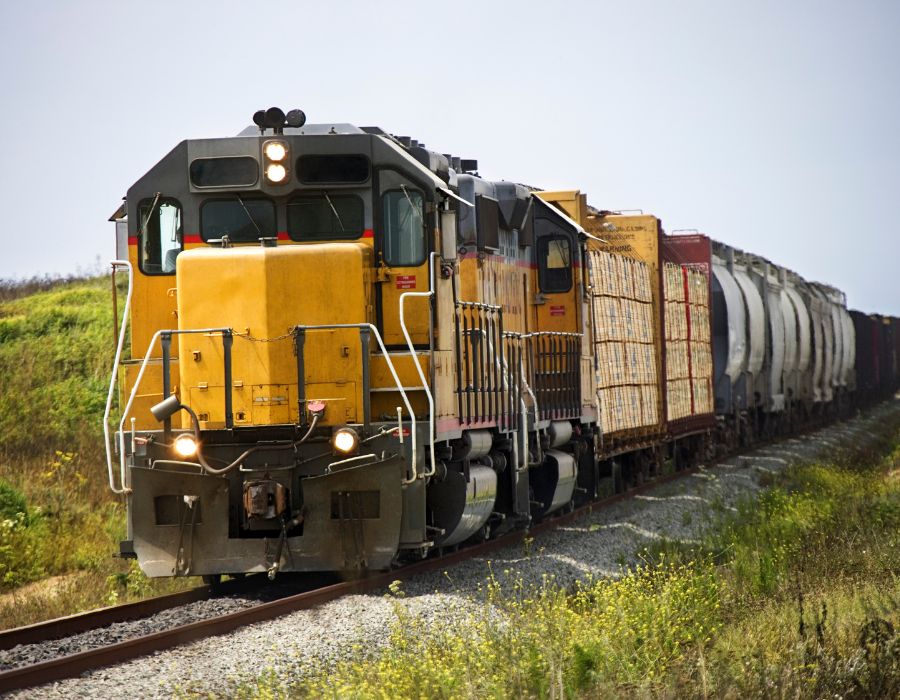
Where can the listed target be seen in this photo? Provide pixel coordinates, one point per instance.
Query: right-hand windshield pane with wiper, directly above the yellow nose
(325, 217)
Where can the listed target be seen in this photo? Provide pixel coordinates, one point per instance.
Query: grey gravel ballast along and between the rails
(598, 544)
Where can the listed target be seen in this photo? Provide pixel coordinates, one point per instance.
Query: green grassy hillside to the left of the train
(58, 519)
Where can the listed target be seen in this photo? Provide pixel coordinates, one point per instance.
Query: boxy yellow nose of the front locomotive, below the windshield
(285, 306)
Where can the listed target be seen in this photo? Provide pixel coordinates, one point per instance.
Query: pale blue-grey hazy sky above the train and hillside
(771, 126)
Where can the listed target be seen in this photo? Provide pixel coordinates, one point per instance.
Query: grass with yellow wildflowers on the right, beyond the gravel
(795, 595)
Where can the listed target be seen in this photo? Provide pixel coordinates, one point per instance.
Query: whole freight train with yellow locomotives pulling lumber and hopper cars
(343, 351)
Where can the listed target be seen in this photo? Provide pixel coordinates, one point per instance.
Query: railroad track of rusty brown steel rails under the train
(72, 665)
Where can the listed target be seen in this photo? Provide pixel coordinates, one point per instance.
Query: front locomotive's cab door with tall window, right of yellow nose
(402, 248)
